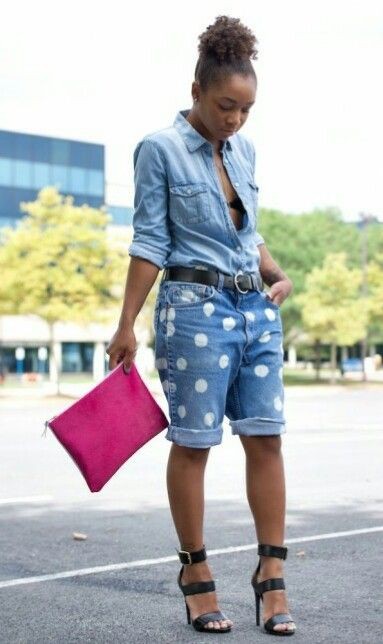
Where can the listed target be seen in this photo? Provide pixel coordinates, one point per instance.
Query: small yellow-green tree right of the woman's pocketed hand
(332, 309)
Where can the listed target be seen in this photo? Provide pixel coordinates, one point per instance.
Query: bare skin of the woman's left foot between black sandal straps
(202, 602)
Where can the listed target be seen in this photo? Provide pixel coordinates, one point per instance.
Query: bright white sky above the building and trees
(111, 72)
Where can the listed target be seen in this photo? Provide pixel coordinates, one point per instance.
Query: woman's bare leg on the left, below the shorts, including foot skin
(185, 482)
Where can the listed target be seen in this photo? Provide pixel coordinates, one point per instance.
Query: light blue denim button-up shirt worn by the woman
(180, 212)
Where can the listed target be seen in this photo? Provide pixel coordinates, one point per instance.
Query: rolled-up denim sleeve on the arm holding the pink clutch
(151, 238)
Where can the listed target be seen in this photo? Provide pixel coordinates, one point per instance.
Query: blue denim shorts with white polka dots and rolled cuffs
(218, 352)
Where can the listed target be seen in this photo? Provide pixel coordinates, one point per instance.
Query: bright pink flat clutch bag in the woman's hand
(101, 430)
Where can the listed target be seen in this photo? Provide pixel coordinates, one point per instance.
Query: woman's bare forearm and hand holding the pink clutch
(140, 279)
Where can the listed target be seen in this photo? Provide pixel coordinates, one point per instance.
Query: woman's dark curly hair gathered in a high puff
(225, 48)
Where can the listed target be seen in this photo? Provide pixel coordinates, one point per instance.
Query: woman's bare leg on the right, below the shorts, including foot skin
(266, 494)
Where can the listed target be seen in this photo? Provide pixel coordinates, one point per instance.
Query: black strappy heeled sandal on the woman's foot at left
(199, 622)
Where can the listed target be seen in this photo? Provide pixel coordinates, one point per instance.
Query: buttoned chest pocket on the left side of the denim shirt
(189, 203)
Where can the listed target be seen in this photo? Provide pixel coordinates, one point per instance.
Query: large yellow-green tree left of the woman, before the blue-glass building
(60, 264)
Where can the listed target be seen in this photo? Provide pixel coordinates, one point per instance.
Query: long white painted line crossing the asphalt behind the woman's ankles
(151, 562)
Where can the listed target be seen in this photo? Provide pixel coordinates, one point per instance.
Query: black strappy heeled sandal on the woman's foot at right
(275, 583)
